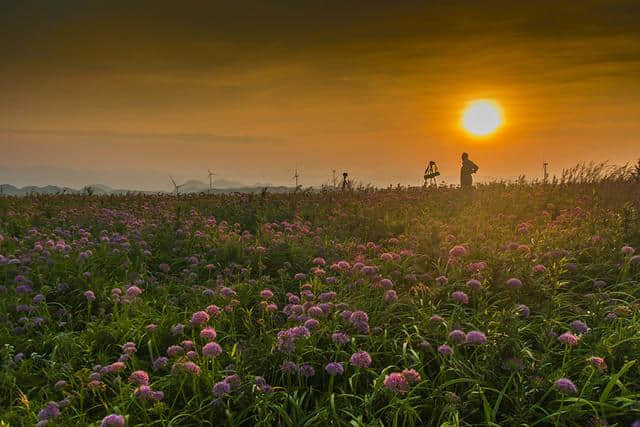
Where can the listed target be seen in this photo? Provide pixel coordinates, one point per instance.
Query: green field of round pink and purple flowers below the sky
(506, 305)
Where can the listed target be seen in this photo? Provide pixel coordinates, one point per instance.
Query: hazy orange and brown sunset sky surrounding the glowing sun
(124, 93)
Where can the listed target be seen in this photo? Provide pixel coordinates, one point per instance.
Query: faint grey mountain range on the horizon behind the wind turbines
(191, 186)
